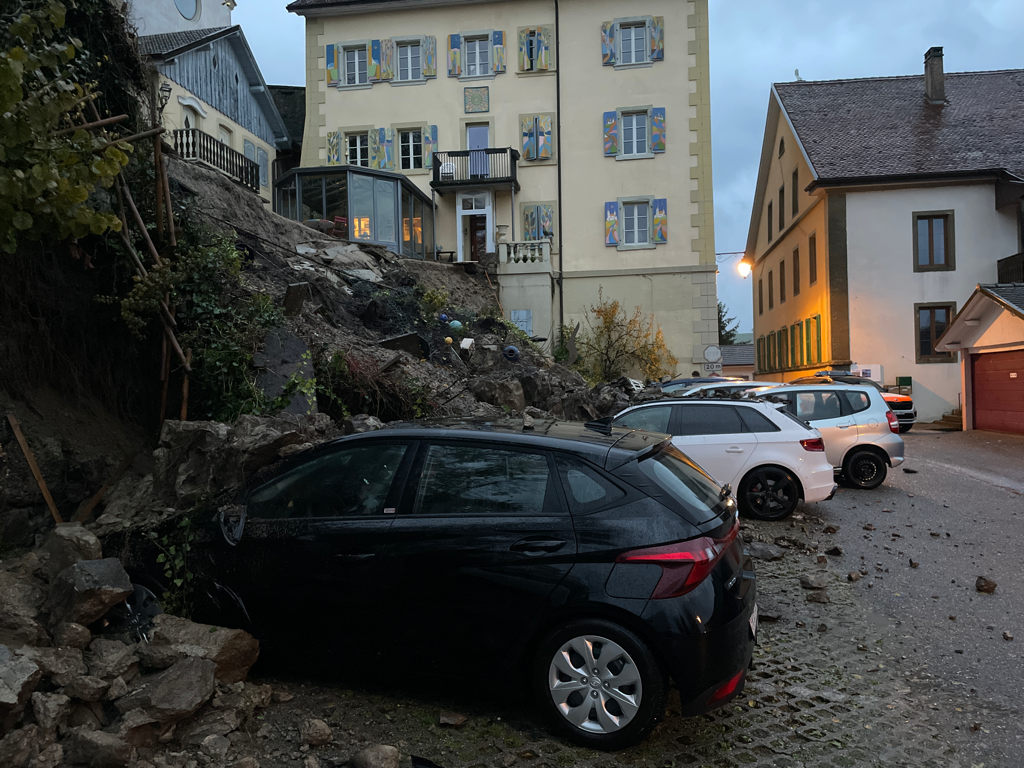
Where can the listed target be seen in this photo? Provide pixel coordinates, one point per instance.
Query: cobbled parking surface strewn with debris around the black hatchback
(835, 684)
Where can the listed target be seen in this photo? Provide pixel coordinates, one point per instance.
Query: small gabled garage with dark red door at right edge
(989, 333)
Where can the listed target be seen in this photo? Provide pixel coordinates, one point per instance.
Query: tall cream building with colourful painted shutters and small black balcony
(596, 119)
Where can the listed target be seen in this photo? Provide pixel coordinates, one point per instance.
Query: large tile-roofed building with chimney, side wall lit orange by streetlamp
(880, 205)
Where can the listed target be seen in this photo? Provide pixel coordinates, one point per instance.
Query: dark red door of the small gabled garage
(999, 392)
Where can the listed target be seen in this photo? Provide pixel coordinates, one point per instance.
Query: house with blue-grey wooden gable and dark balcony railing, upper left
(217, 107)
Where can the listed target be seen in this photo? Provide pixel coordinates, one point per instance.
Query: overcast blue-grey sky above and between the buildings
(755, 44)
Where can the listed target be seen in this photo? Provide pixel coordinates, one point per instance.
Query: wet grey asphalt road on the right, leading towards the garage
(957, 509)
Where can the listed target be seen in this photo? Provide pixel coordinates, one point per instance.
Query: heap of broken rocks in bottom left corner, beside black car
(69, 697)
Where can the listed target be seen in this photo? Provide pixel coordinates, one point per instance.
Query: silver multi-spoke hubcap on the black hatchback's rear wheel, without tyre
(595, 685)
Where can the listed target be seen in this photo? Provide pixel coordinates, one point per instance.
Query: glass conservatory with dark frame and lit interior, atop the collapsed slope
(361, 205)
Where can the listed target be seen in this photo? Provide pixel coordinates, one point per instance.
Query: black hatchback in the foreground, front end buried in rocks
(594, 563)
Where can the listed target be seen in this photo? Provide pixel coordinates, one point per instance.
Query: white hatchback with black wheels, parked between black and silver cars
(771, 459)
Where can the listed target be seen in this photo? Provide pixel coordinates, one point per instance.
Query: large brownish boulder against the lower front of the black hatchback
(233, 651)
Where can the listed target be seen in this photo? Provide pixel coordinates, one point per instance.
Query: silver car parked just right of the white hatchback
(862, 434)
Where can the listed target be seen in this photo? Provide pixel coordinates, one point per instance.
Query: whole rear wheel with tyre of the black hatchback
(600, 685)
